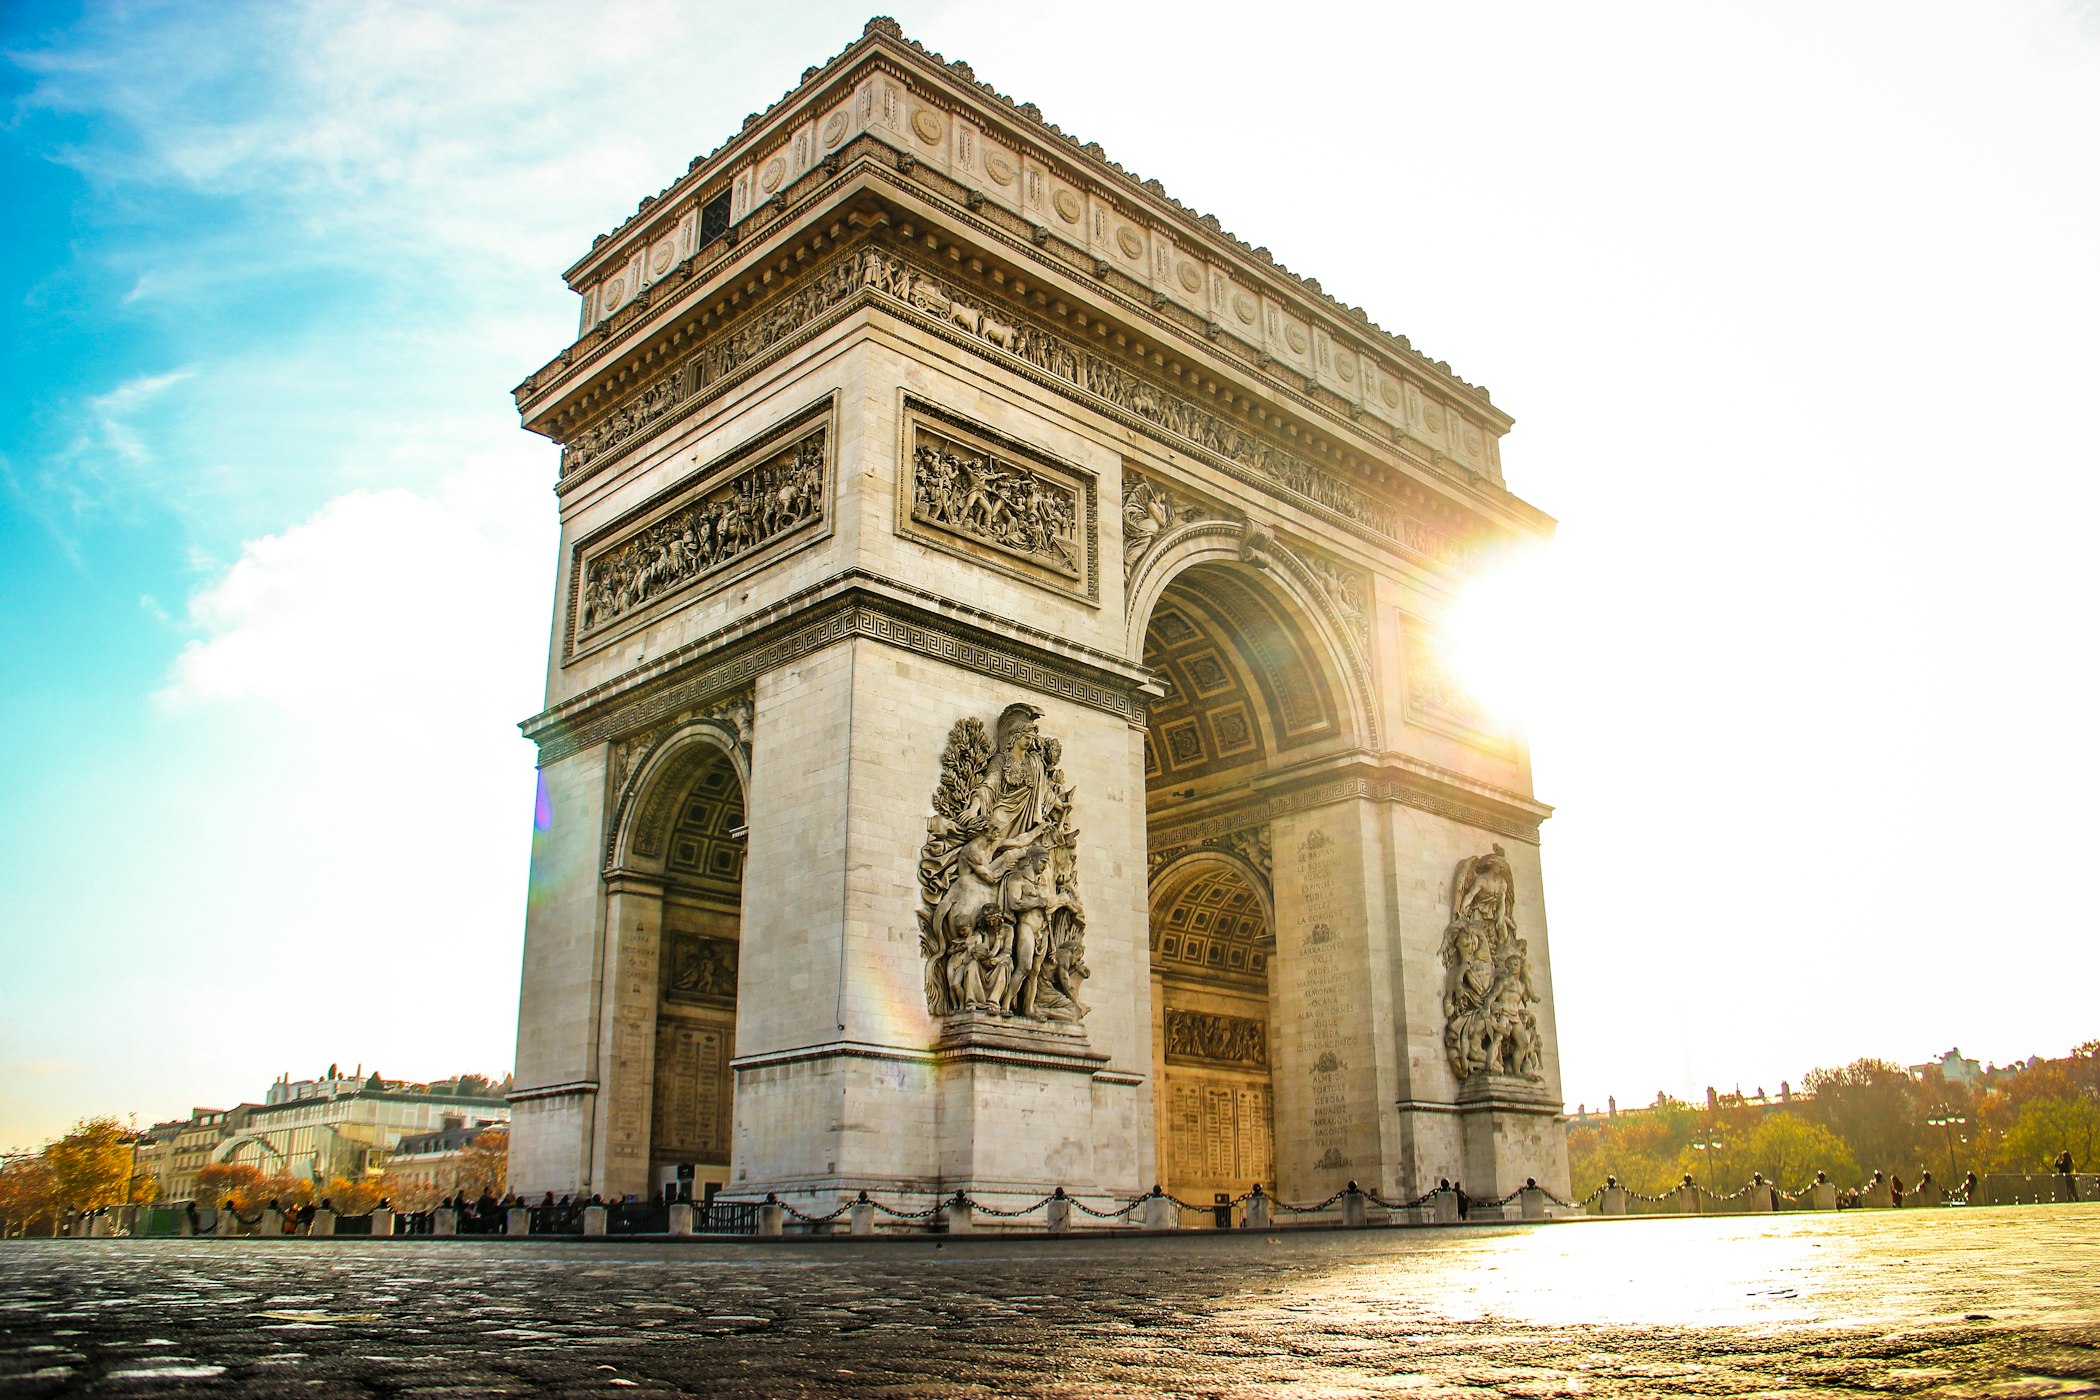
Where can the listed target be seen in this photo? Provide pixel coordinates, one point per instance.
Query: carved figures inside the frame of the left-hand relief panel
(757, 507)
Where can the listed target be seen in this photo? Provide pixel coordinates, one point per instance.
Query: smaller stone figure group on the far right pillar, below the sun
(1490, 1025)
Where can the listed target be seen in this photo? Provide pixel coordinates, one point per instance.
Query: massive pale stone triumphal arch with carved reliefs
(999, 729)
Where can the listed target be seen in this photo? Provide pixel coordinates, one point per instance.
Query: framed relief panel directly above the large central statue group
(999, 503)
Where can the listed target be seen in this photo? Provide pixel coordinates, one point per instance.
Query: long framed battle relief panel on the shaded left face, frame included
(740, 511)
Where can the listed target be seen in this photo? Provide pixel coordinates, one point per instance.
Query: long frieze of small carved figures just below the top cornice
(1036, 352)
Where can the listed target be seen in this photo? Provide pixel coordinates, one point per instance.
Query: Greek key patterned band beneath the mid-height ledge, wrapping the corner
(807, 633)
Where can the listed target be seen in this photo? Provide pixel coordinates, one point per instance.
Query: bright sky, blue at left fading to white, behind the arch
(1792, 305)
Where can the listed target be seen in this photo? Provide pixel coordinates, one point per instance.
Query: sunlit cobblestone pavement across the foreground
(1992, 1304)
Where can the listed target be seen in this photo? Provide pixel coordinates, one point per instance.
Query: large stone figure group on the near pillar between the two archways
(1003, 929)
